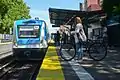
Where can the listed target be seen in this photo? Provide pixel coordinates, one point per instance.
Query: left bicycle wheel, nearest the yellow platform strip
(67, 52)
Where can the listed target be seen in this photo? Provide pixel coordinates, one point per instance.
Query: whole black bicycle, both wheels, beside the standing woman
(92, 47)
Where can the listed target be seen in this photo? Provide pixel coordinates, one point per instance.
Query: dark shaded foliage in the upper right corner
(111, 6)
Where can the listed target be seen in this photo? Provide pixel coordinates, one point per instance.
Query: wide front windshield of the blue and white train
(28, 31)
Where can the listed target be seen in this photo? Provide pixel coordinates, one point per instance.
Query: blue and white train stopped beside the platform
(30, 39)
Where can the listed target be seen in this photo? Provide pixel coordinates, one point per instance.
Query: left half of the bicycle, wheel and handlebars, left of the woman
(67, 48)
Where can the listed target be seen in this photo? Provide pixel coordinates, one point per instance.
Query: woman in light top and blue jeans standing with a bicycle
(79, 36)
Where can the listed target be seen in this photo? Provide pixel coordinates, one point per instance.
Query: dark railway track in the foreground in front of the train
(19, 70)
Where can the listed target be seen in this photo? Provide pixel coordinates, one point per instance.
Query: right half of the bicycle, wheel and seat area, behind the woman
(98, 49)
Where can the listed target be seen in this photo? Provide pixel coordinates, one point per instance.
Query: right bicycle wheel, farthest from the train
(97, 51)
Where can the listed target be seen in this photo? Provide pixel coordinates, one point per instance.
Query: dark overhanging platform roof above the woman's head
(63, 16)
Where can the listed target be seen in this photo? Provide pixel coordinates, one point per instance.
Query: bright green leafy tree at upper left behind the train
(11, 10)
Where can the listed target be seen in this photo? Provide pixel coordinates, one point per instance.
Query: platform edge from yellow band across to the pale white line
(54, 68)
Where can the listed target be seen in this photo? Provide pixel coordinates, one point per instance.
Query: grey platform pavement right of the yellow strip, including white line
(88, 69)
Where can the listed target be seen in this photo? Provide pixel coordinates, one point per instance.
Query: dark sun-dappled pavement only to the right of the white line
(107, 69)
